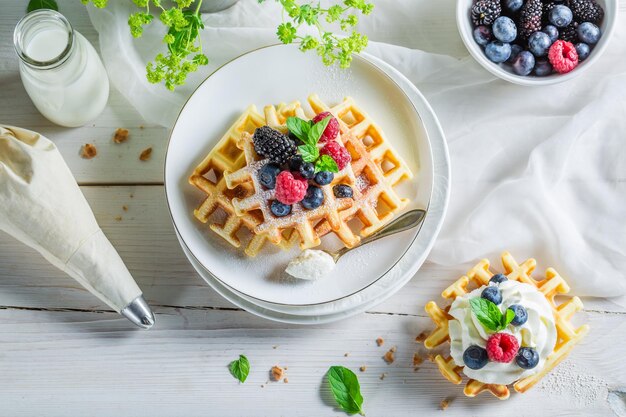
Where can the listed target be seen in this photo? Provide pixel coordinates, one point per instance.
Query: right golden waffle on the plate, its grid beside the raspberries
(375, 170)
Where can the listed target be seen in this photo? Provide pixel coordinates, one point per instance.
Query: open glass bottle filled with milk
(61, 71)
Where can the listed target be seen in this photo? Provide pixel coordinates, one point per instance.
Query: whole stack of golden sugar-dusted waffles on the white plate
(236, 206)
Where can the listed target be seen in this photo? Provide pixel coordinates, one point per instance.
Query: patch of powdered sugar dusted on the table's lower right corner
(569, 380)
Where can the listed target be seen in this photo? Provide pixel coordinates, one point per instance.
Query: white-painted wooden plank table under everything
(62, 353)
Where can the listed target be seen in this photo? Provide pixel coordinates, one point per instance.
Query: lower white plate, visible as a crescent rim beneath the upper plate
(404, 271)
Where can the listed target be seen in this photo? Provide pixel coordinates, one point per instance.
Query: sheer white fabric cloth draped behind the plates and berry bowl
(540, 172)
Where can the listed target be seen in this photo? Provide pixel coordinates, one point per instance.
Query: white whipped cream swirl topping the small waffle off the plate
(538, 332)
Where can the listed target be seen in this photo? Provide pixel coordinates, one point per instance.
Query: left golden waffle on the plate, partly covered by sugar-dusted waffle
(208, 176)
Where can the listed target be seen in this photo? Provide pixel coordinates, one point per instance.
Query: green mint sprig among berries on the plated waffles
(310, 133)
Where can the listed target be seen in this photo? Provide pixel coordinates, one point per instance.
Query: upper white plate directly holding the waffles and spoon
(250, 79)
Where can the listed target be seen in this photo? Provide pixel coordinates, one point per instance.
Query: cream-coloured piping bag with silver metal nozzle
(42, 206)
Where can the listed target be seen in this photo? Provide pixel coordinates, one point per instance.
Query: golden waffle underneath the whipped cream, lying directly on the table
(479, 275)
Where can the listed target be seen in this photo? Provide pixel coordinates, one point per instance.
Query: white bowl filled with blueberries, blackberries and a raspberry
(536, 42)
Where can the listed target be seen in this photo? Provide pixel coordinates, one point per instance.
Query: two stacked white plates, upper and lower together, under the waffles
(365, 276)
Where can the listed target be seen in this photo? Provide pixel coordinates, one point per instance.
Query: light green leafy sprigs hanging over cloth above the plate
(184, 47)
